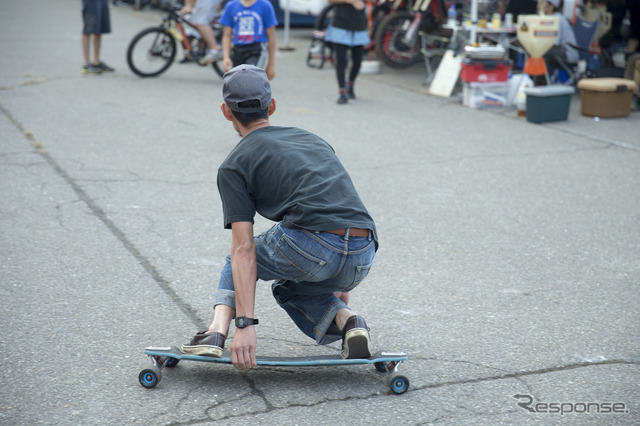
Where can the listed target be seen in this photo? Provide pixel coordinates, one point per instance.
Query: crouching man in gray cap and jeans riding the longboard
(322, 247)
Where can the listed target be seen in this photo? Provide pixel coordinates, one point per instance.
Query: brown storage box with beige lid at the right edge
(606, 97)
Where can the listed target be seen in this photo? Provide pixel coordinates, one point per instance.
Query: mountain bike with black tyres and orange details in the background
(152, 51)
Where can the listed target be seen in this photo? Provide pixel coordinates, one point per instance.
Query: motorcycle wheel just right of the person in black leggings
(390, 46)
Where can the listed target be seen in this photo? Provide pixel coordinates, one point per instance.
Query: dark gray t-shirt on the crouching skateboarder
(291, 176)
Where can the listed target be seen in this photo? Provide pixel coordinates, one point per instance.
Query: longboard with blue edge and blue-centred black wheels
(384, 362)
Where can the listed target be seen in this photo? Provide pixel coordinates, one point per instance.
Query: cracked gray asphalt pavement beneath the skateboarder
(509, 261)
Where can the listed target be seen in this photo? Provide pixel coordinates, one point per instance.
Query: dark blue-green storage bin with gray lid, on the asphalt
(548, 103)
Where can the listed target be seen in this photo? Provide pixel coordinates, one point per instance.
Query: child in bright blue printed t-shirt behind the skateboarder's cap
(251, 26)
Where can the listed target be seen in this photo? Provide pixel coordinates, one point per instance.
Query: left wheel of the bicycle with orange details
(151, 52)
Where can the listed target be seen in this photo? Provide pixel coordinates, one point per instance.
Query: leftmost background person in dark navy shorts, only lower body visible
(95, 18)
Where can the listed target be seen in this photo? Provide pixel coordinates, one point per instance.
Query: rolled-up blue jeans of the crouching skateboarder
(307, 268)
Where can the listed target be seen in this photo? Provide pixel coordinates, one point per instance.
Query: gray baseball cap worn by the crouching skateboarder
(246, 83)
